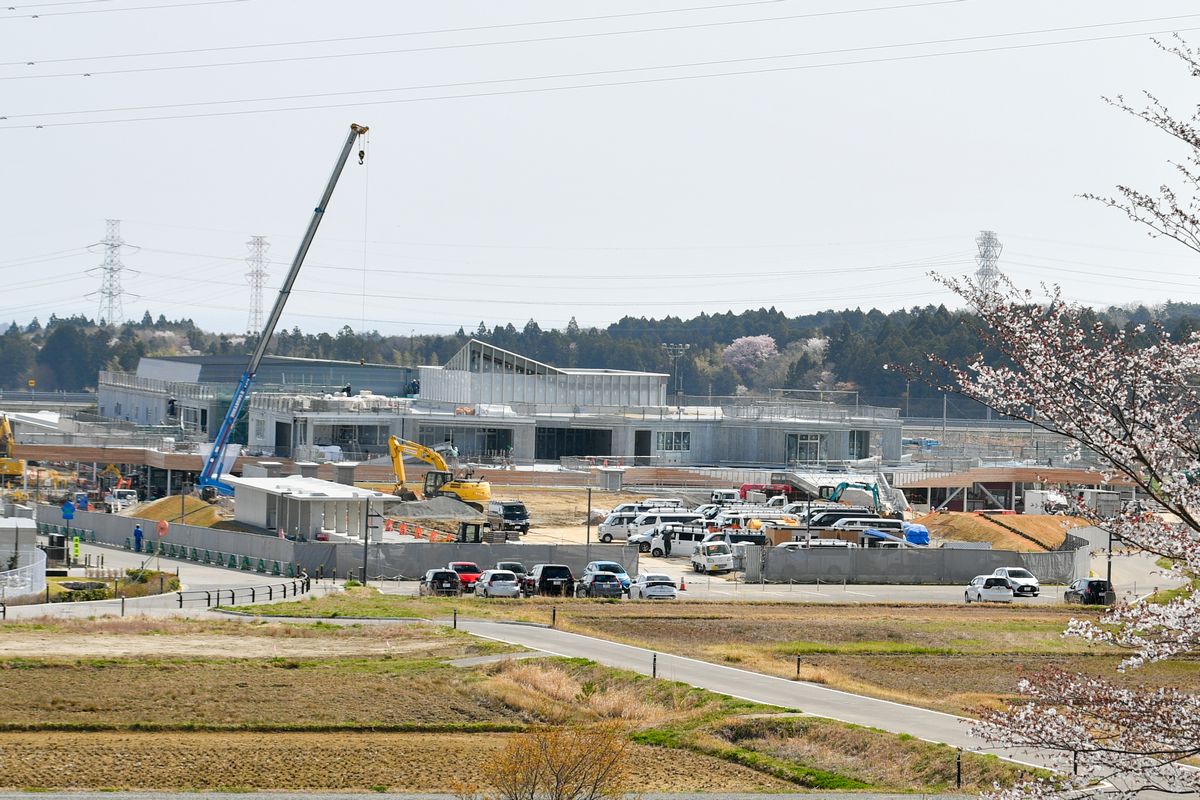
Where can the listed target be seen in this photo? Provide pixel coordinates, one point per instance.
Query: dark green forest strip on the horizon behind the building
(832, 354)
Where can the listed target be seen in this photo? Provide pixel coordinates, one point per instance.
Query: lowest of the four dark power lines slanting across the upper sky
(575, 87)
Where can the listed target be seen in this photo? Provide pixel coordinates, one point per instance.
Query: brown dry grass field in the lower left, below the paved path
(172, 715)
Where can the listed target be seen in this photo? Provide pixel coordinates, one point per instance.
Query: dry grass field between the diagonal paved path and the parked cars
(946, 658)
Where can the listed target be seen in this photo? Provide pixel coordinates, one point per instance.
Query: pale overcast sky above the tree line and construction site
(857, 149)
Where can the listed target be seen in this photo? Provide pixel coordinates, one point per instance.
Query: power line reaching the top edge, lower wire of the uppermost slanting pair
(434, 49)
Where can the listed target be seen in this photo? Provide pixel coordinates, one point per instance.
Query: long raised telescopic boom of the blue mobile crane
(211, 477)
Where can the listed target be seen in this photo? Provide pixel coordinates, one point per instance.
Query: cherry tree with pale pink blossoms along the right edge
(1130, 398)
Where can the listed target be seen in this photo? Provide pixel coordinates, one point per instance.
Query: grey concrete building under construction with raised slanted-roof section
(495, 406)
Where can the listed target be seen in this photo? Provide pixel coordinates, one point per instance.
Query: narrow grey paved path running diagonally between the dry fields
(811, 699)
